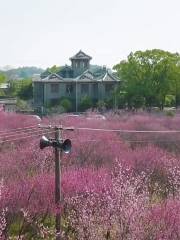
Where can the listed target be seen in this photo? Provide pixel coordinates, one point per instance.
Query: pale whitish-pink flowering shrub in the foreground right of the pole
(111, 213)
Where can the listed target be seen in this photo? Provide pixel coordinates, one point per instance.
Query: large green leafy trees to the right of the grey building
(149, 78)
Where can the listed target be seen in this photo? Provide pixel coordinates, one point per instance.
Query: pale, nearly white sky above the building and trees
(44, 33)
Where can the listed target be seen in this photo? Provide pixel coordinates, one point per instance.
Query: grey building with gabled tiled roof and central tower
(74, 82)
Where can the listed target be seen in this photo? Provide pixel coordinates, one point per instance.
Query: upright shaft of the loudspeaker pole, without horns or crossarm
(58, 185)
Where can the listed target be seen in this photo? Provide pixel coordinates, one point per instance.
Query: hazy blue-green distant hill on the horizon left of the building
(22, 72)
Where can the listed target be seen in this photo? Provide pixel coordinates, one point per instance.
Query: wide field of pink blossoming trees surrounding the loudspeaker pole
(117, 185)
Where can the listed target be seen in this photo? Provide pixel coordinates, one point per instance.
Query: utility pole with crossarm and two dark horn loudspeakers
(59, 146)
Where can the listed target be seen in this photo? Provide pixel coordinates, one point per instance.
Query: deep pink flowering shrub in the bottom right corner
(162, 221)
